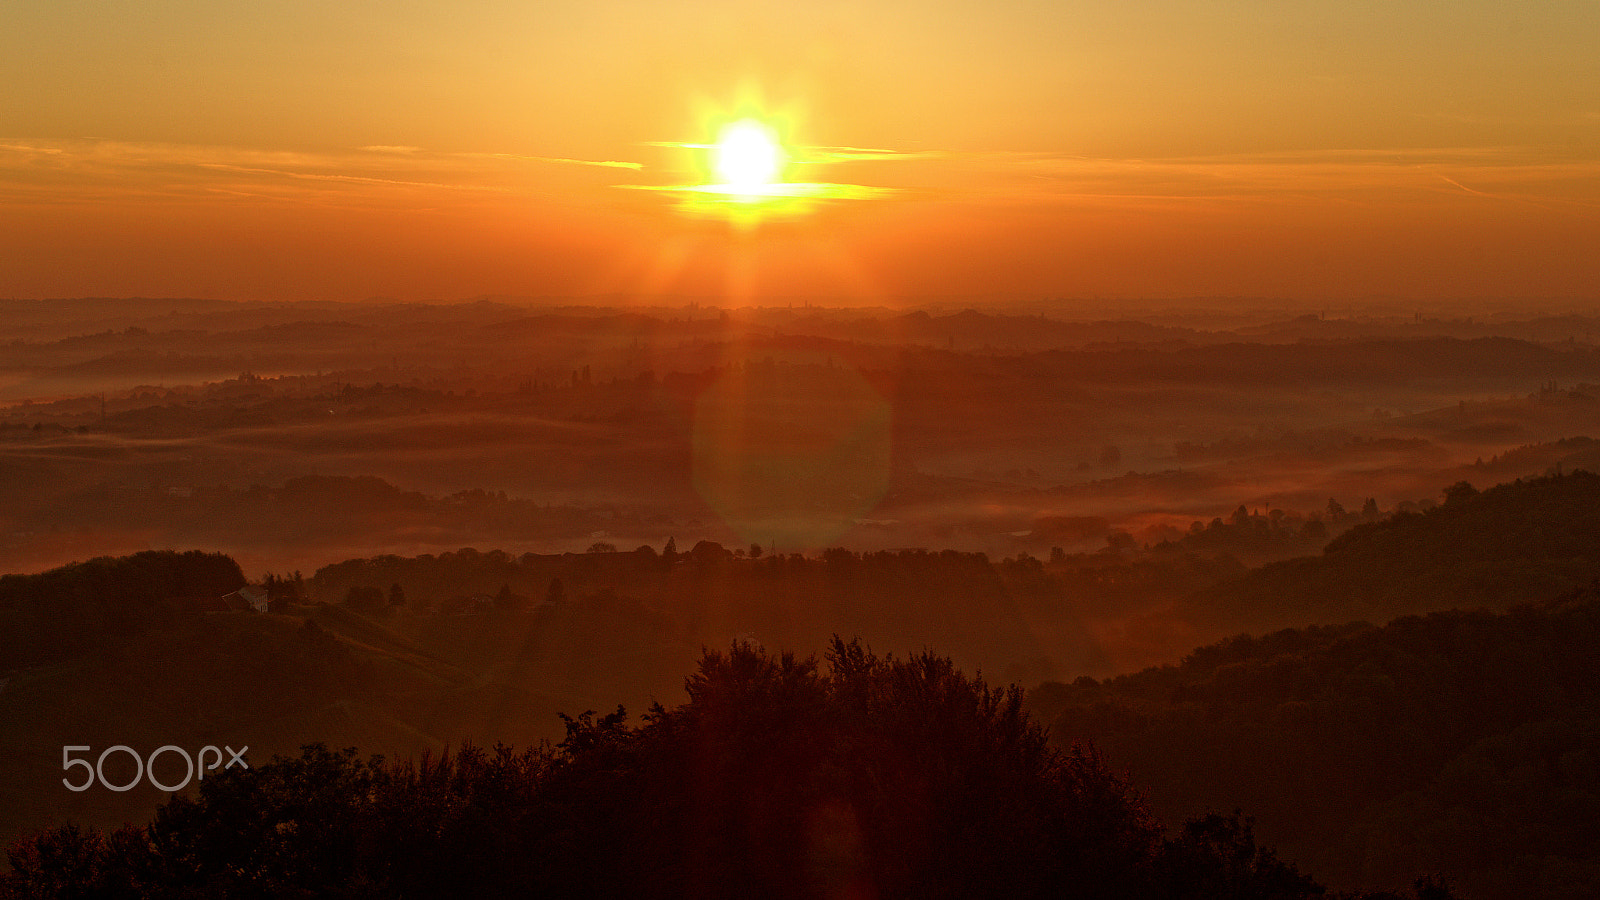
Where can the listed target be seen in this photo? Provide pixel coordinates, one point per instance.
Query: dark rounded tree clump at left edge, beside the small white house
(81, 606)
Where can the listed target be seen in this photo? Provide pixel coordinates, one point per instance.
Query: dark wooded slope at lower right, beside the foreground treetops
(1460, 742)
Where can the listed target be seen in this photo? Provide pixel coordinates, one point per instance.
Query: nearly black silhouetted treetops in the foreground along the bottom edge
(879, 777)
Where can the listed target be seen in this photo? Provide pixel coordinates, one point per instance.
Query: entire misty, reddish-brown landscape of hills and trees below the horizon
(932, 603)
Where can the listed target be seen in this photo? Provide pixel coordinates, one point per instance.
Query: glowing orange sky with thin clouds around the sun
(428, 150)
